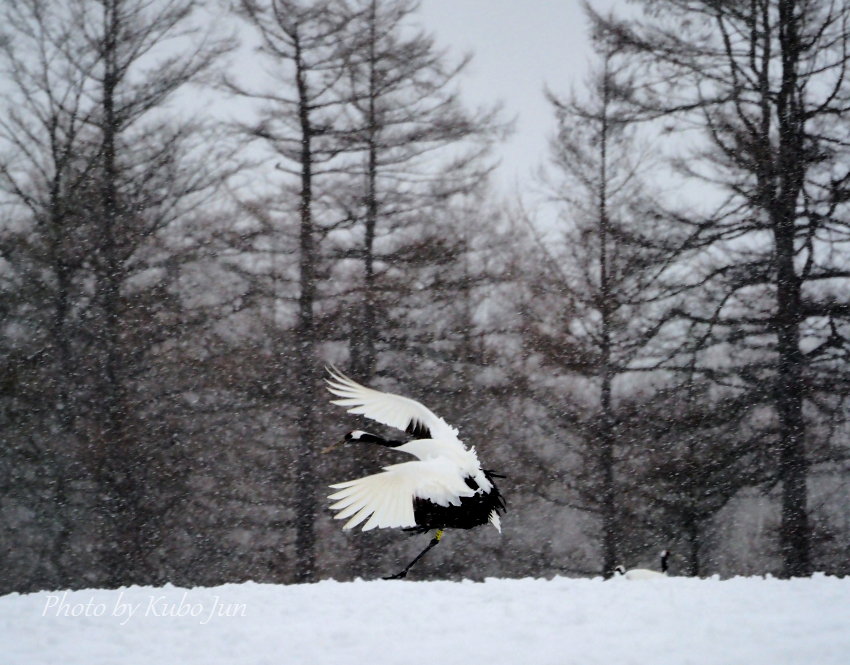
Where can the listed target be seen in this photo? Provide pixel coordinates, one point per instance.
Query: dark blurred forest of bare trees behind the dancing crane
(662, 365)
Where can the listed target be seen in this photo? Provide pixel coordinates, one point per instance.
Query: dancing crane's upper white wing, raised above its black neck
(394, 410)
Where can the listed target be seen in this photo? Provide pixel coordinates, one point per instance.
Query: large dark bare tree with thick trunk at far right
(766, 82)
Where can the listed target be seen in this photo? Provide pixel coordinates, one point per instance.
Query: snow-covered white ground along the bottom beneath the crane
(674, 621)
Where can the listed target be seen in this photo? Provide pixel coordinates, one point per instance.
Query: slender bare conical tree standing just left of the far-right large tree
(606, 269)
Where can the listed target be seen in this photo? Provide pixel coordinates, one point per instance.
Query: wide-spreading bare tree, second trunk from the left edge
(103, 178)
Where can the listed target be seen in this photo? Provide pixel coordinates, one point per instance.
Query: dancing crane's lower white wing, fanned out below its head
(386, 498)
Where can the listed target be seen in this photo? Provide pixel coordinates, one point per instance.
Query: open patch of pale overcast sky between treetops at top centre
(518, 46)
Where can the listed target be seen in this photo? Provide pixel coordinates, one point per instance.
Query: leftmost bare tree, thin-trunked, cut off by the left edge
(47, 154)
